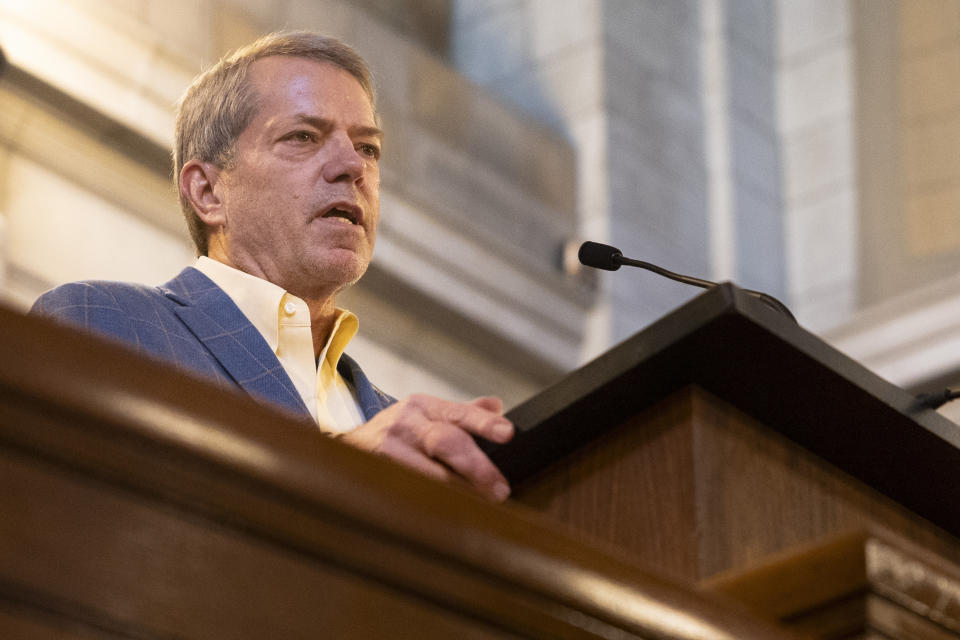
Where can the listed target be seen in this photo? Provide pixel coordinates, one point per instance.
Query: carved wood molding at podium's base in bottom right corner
(866, 584)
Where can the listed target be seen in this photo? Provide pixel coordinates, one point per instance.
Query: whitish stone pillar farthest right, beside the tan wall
(817, 127)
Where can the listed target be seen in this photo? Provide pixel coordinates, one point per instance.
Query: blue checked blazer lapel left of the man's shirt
(215, 320)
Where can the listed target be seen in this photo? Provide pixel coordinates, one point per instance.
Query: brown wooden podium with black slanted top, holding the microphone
(723, 436)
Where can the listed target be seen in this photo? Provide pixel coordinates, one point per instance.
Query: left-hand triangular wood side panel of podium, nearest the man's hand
(632, 490)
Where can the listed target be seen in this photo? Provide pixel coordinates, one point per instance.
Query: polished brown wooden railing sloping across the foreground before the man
(139, 502)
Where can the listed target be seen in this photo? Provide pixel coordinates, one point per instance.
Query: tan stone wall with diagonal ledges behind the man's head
(466, 295)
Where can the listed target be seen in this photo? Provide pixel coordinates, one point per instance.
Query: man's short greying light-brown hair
(220, 104)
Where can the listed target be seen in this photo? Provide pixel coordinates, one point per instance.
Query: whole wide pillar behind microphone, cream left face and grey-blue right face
(621, 79)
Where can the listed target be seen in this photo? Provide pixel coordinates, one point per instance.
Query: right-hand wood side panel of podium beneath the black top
(760, 494)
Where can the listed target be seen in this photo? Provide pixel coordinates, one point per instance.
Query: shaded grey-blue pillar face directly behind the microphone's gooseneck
(657, 175)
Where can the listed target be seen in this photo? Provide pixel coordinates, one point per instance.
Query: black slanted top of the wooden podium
(730, 345)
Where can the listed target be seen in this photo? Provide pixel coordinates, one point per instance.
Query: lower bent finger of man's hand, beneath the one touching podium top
(454, 448)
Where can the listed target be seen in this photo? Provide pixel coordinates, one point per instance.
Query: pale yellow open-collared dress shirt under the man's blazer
(284, 322)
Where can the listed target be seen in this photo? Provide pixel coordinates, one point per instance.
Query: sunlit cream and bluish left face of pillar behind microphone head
(545, 58)
